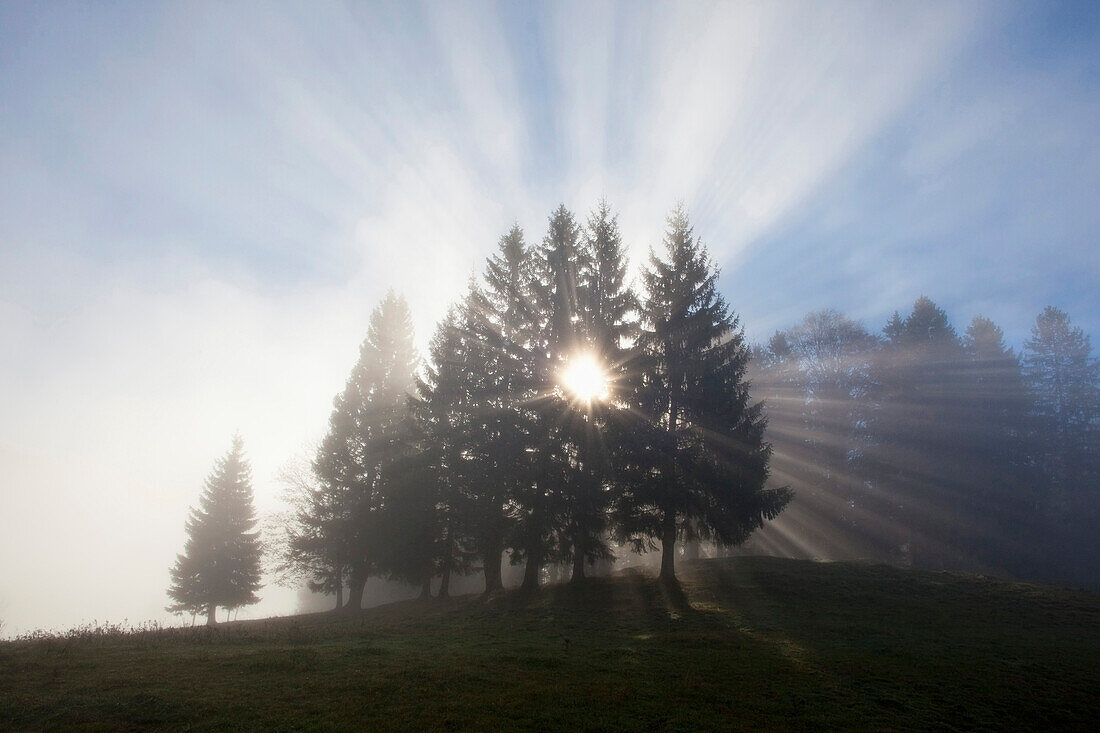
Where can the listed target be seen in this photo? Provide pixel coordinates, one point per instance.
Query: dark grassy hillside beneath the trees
(749, 643)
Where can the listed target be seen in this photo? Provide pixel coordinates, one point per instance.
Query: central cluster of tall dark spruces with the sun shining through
(486, 453)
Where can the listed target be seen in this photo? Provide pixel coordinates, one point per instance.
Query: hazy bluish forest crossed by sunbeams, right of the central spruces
(948, 451)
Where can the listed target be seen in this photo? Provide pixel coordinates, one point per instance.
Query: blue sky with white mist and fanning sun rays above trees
(202, 203)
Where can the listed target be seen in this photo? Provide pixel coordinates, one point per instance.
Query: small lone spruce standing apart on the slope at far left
(221, 564)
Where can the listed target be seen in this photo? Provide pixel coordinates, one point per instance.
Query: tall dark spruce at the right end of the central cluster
(701, 462)
